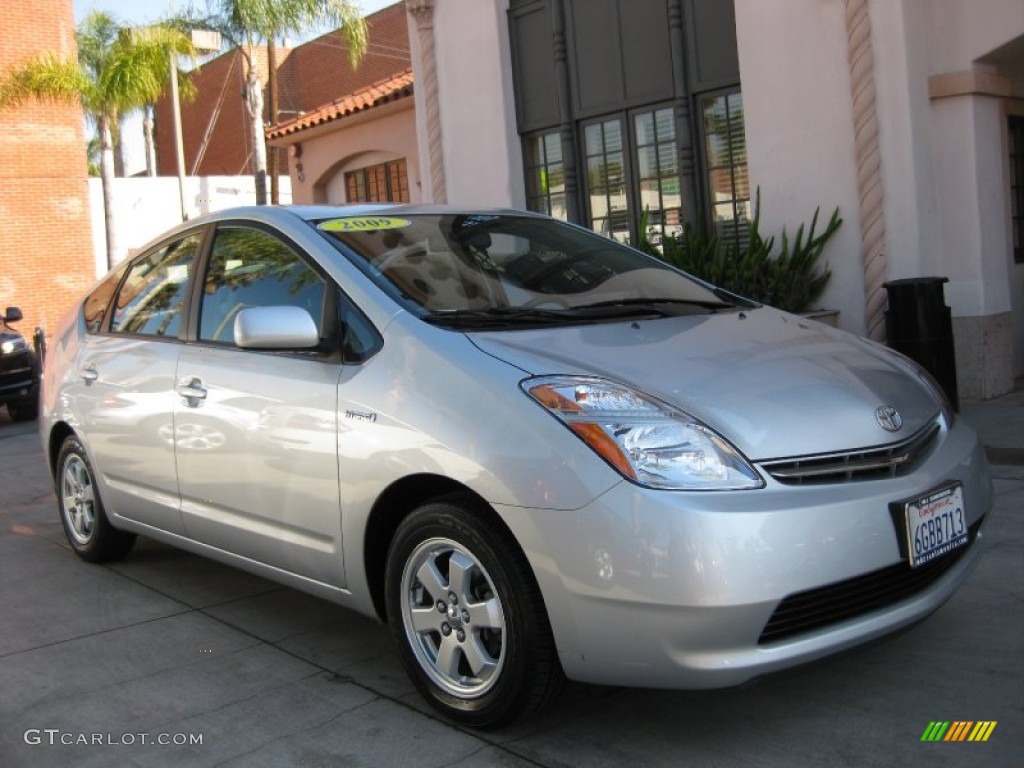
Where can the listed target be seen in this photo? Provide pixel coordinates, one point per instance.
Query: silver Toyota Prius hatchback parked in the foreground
(537, 454)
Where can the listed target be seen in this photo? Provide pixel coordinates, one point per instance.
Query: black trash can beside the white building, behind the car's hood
(920, 325)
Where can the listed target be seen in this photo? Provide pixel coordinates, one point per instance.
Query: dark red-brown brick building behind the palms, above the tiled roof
(310, 76)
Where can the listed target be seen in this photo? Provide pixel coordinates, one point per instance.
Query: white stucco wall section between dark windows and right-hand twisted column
(799, 121)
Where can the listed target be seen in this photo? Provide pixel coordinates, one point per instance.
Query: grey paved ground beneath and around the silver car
(101, 664)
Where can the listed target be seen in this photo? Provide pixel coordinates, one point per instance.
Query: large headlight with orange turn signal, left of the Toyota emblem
(649, 442)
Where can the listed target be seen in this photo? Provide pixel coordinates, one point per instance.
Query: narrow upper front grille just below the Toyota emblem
(868, 464)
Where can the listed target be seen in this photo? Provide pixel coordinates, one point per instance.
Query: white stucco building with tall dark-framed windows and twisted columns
(905, 114)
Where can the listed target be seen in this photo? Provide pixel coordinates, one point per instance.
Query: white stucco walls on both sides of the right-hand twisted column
(944, 159)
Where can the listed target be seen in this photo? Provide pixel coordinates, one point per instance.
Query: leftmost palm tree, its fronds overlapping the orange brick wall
(118, 70)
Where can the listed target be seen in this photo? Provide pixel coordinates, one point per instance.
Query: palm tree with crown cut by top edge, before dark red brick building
(248, 25)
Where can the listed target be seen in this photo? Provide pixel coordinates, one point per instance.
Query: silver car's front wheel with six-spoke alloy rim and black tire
(468, 617)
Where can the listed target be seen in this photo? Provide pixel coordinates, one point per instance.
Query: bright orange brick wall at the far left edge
(47, 260)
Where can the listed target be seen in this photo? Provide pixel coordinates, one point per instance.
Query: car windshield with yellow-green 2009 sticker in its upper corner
(496, 270)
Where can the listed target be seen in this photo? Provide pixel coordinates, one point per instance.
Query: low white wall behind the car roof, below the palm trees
(145, 207)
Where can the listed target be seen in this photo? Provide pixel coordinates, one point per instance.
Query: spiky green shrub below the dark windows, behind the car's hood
(791, 280)
